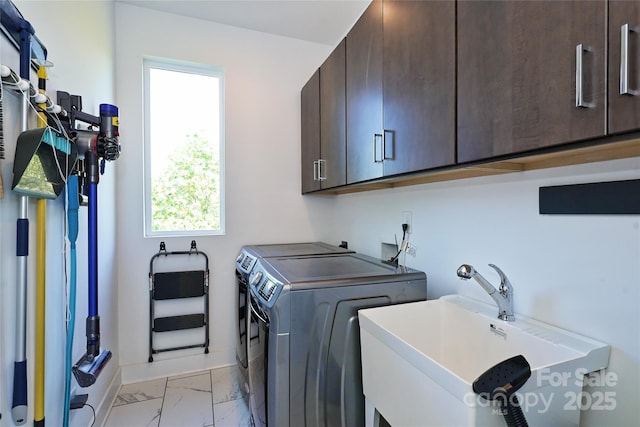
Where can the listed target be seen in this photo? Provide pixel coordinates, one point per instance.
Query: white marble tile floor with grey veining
(200, 399)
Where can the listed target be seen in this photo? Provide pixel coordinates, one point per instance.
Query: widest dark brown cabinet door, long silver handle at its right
(518, 75)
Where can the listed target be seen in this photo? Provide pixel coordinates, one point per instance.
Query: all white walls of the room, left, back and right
(581, 273)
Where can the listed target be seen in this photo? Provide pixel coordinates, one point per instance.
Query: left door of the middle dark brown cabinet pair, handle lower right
(364, 96)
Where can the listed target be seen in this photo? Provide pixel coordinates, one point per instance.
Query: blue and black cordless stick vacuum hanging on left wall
(96, 148)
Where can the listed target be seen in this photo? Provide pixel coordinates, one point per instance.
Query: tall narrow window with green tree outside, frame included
(183, 149)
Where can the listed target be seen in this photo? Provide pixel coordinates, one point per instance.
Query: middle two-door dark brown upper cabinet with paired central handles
(401, 89)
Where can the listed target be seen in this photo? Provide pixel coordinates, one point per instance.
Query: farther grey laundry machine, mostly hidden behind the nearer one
(246, 332)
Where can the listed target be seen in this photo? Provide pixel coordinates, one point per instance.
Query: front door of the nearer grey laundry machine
(258, 362)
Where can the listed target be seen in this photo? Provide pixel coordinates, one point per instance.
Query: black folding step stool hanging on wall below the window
(181, 285)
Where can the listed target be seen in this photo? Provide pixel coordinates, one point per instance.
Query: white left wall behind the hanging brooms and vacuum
(79, 39)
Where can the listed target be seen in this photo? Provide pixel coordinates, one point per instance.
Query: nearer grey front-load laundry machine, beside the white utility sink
(304, 367)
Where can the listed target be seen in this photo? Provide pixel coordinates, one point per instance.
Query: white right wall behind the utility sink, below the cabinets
(578, 272)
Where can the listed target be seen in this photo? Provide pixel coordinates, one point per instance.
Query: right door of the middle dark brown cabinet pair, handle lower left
(419, 84)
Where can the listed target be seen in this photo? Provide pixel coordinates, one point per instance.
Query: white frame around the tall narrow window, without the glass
(179, 66)
